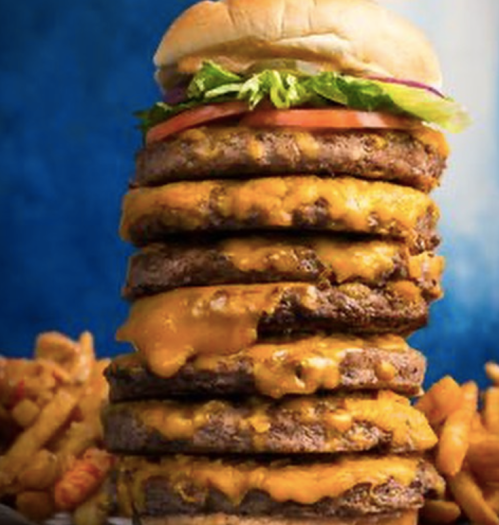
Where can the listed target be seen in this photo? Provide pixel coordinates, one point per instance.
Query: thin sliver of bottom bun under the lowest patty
(397, 518)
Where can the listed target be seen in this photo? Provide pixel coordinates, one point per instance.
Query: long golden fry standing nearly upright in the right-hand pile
(455, 435)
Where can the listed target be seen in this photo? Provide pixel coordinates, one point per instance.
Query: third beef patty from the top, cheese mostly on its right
(247, 260)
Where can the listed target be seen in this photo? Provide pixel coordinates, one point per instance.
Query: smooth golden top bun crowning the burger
(357, 37)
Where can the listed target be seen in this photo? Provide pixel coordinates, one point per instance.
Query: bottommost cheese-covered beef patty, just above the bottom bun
(348, 486)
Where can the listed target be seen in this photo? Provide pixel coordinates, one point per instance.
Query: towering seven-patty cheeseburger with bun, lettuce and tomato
(286, 240)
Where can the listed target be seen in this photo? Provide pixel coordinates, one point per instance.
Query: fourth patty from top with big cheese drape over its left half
(172, 327)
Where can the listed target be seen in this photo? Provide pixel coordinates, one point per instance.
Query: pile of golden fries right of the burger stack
(467, 454)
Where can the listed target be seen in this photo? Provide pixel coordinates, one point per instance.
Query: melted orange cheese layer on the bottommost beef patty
(305, 484)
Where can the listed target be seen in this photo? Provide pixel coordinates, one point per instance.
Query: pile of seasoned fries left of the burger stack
(51, 452)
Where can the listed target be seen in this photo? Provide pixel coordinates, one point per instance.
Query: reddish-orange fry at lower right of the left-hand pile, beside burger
(82, 480)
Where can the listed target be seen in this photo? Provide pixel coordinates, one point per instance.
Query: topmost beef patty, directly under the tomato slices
(217, 152)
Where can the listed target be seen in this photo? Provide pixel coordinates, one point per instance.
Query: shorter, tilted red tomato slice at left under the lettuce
(194, 117)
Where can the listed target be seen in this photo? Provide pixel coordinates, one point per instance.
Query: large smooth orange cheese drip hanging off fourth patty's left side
(170, 328)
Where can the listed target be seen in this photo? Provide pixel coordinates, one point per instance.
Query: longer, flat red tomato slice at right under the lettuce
(327, 118)
